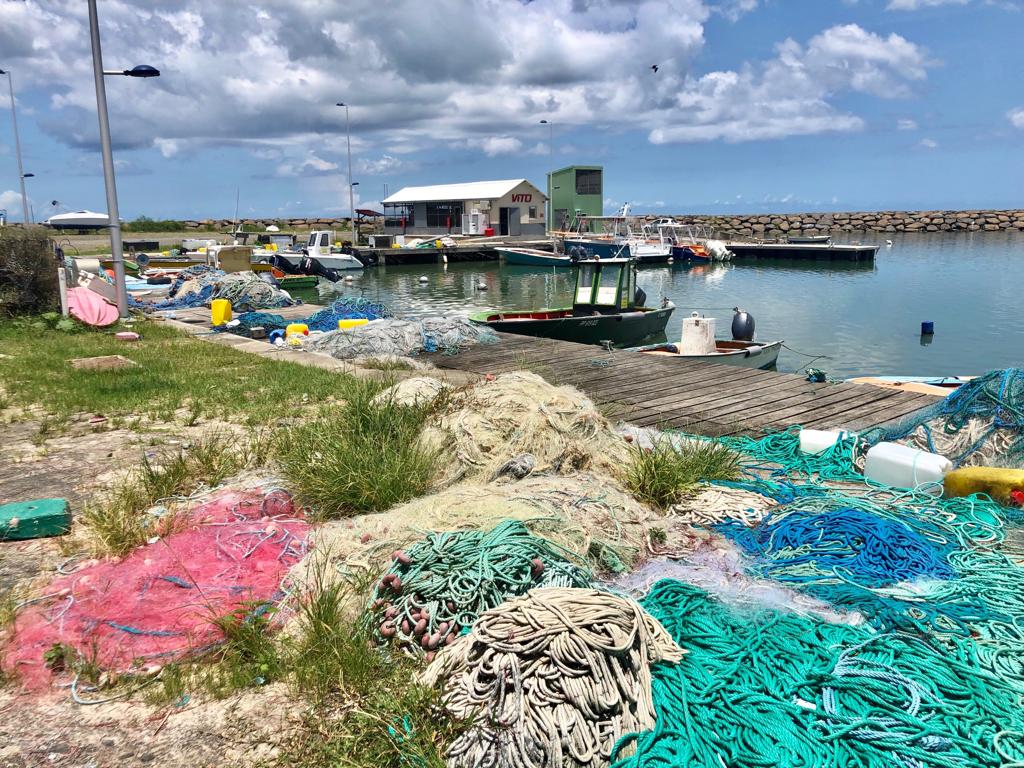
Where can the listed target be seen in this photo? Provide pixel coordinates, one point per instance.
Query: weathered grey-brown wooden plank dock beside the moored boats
(705, 398)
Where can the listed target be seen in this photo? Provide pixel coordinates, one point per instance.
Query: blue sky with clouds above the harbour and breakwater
(757, 106)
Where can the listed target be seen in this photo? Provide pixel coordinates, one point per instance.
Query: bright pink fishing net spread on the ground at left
(158, 604)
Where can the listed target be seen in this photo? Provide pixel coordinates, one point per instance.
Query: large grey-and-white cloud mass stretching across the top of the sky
(268, 81)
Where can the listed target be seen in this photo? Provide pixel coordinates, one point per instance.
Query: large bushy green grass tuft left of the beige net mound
(364, 456)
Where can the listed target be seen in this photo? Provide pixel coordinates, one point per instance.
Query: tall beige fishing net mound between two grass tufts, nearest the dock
(490, 423)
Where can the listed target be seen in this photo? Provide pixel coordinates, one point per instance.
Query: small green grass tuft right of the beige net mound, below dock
(662, 476)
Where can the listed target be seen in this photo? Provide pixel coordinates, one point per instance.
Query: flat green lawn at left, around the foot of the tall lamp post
(175, 371)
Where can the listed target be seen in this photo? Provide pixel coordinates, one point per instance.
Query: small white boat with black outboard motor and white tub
(699, 344)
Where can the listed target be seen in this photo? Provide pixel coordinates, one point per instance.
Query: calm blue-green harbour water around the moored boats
(867, 319)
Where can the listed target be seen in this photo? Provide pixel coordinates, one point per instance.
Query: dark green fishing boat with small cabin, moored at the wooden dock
(608, 308)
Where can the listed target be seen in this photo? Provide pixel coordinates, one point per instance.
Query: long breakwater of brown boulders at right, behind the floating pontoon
(776, 226)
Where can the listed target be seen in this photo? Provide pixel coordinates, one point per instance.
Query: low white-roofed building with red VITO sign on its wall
(505, 207)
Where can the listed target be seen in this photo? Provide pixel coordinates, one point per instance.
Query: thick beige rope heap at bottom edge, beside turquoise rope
(552, 679)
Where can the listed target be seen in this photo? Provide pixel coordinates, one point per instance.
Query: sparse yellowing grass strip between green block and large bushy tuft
(116, 524)
